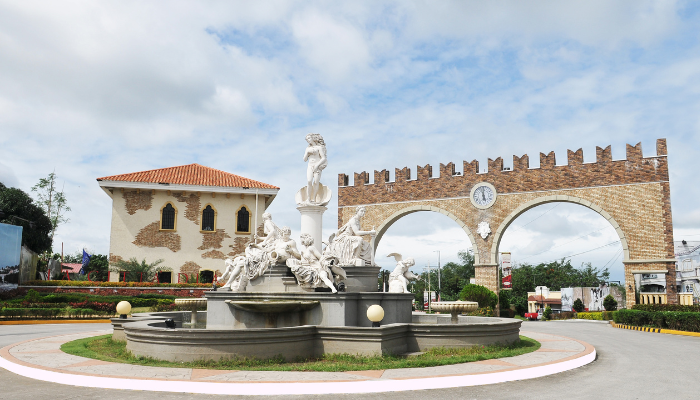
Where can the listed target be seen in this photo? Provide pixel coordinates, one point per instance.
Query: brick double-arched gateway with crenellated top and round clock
(632, 194)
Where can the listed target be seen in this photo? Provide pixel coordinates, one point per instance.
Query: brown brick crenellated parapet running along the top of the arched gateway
(520, 178)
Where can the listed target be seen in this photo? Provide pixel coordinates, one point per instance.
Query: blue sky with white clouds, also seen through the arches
(90, 89)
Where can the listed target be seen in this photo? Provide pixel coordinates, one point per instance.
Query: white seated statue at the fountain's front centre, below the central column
(309, 270)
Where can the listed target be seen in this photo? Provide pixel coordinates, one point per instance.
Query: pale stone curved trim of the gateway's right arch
(554, 199)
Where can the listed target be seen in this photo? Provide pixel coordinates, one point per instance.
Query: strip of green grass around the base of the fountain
(105, 349)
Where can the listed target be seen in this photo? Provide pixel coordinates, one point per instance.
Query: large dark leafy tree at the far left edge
(17, 208)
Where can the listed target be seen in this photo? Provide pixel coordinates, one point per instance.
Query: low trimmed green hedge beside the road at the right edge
(676, 320)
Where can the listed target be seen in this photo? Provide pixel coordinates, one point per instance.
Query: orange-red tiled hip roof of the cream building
(191, 174)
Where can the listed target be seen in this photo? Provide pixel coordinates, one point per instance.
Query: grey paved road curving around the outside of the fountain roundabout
(630, 365)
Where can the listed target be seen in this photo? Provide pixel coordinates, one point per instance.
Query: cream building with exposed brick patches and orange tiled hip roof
(191, 216)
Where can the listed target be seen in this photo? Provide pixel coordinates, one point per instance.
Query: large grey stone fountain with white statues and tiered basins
(278, 299)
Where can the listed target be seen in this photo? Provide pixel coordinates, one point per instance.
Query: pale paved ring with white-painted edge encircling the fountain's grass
(365, 385)
